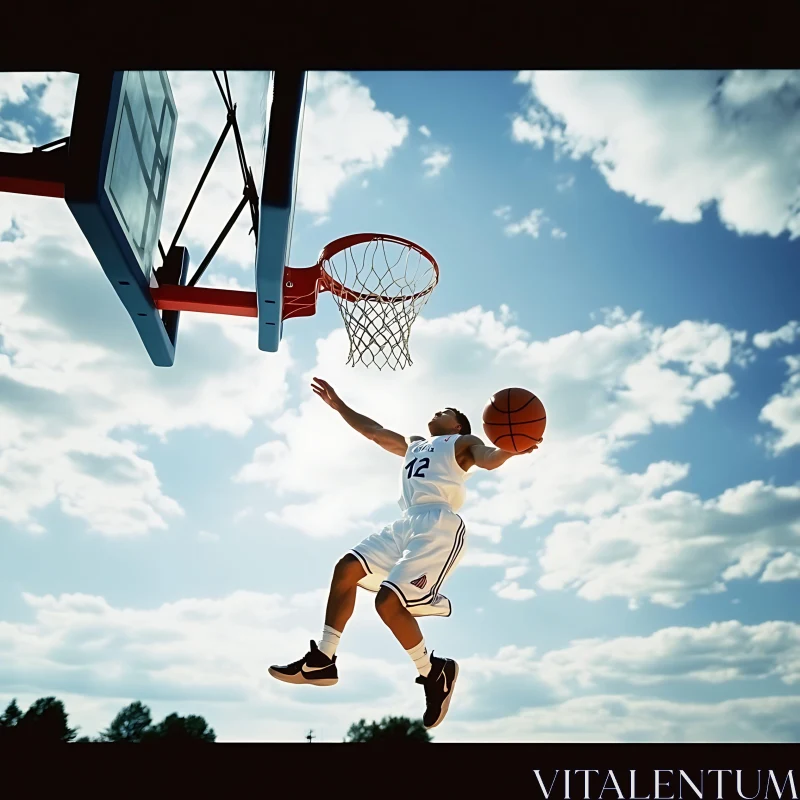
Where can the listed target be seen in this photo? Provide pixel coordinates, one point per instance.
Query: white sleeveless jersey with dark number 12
(431, 474)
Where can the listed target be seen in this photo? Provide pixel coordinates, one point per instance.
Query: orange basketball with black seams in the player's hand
(514, 419)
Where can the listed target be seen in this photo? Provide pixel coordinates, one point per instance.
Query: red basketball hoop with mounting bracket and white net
(380, 284)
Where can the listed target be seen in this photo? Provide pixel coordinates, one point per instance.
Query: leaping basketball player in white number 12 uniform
(408, 561)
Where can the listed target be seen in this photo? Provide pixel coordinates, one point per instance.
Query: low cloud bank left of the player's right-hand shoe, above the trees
(193, 652)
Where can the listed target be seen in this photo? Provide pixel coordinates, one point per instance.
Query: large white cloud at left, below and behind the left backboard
(76, 385)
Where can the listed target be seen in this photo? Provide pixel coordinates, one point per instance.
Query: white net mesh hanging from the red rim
(383, 285)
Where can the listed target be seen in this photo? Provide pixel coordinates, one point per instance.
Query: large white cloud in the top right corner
(679, 140)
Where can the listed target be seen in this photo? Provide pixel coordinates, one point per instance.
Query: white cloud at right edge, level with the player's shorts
(675, 547)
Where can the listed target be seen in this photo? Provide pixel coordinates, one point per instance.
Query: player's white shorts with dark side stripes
(413, 556)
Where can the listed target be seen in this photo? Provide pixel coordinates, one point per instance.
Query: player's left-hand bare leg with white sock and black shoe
(318, 668)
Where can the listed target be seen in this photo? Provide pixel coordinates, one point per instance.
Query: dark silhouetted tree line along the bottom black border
(47, 722)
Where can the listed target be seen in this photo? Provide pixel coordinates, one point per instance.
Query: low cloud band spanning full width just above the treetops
(212, 653)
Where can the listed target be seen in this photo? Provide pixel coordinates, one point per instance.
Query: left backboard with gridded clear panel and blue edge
(120, 153)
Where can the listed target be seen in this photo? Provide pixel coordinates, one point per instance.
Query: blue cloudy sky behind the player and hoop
(625, 245)
